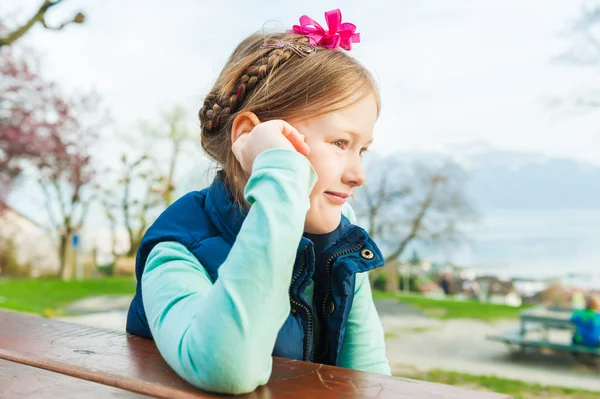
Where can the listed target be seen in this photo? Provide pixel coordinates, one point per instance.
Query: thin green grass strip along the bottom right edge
(516, 389)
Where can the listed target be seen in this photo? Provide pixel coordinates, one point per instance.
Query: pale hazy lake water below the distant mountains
(531, 243)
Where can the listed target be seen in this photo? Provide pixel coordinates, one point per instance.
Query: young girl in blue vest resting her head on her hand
(267, 261)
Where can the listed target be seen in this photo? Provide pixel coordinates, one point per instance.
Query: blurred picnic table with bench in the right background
(534, 333)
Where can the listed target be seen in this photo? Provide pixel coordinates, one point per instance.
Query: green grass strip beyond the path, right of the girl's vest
(454, 309)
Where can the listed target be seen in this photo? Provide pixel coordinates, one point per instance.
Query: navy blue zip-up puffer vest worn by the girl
(207, 222)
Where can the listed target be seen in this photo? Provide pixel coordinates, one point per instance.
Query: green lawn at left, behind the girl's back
(49, 296)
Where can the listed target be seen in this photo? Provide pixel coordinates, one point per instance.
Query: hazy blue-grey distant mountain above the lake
(502, 179)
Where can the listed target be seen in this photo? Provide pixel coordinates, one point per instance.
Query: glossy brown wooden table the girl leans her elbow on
(45, 358)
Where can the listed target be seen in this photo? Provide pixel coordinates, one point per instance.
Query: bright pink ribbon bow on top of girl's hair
(340, 34)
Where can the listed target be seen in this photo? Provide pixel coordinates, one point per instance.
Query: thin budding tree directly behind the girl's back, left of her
(144, 181)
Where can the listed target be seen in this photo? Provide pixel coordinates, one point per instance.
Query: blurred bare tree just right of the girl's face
(404, 203)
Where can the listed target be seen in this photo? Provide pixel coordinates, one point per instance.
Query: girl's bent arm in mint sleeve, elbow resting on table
(220, 336)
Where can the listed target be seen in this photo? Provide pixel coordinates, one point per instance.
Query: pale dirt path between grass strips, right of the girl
(460, 345)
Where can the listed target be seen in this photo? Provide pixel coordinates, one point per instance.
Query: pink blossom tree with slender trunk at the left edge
(47, 136)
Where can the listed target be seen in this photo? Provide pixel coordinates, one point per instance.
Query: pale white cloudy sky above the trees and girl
(452, 73)
